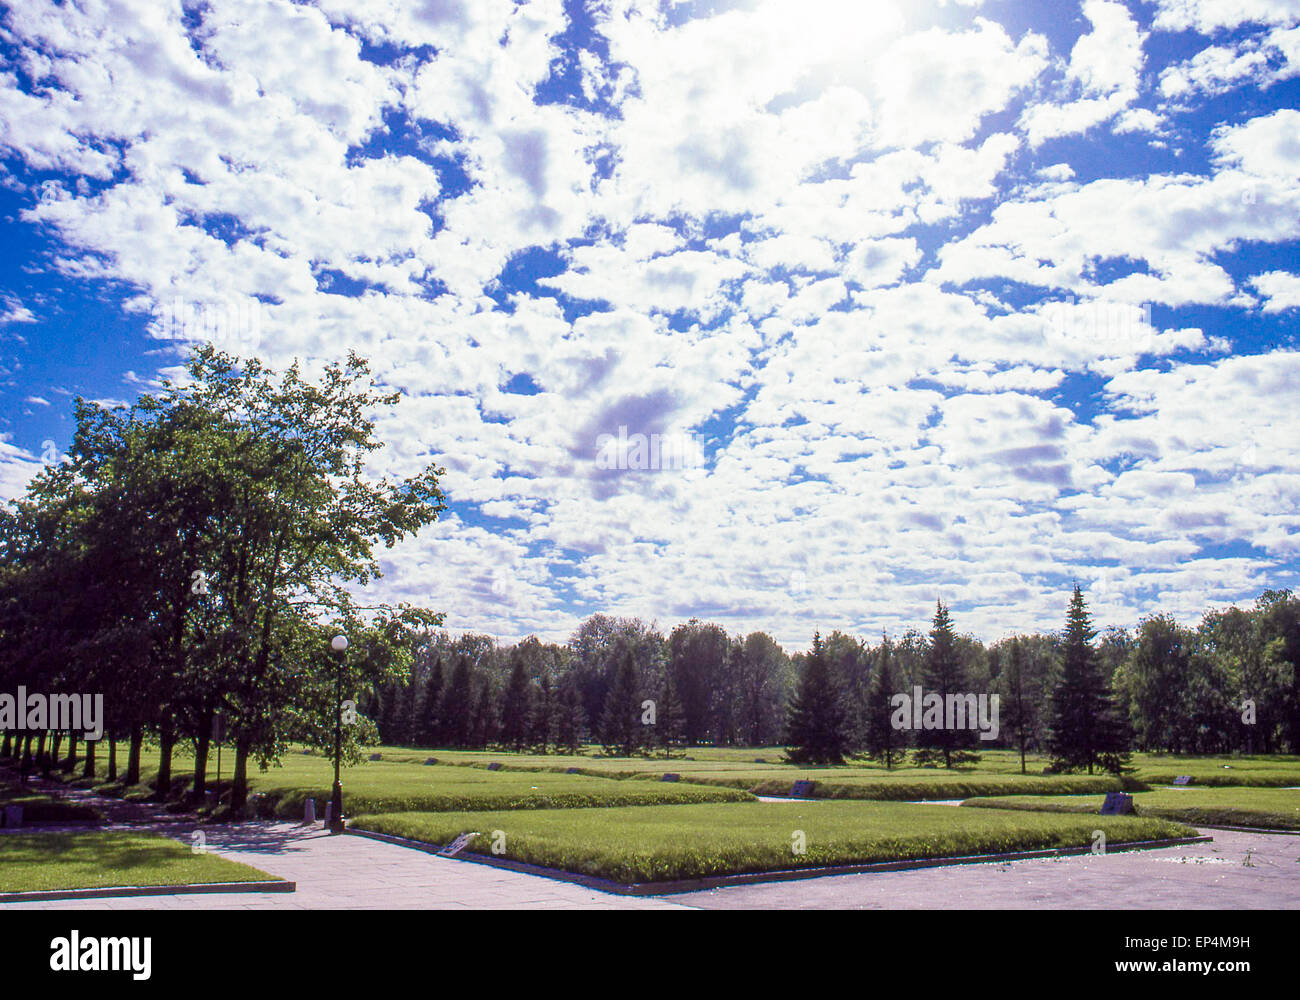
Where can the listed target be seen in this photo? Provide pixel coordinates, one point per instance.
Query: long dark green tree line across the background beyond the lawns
(1082, 696)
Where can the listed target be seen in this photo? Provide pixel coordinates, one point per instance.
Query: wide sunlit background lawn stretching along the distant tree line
(402, 782)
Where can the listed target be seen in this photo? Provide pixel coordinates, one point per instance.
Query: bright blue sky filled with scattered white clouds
(968, 300)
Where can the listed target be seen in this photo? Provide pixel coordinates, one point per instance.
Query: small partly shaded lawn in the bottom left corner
(32, 863)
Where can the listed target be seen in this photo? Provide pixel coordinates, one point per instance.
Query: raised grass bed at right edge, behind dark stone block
(1266, 808)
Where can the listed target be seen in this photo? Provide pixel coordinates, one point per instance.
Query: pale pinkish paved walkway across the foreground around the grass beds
(359, 873)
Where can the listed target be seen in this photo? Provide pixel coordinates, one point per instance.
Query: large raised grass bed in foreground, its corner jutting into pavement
(665, 843)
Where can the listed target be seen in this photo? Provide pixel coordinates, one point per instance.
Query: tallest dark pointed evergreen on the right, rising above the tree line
(1087, 730)
